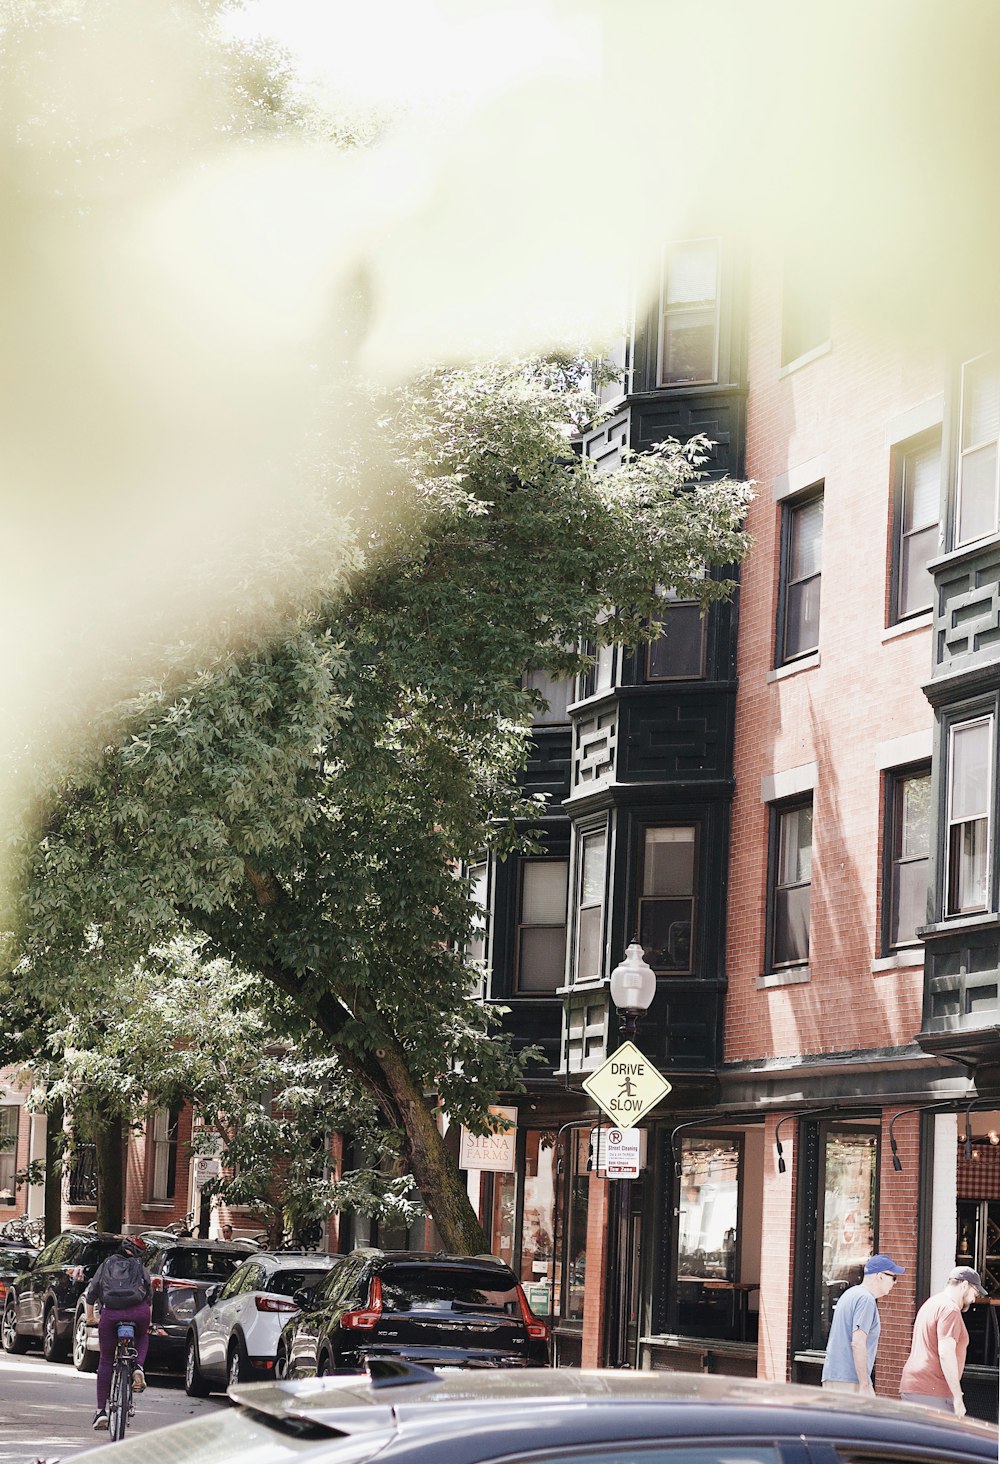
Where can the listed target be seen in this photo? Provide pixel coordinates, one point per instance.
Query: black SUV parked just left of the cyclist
(42, 1304)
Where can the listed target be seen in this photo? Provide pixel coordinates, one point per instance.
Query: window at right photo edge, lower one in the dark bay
(970, 784)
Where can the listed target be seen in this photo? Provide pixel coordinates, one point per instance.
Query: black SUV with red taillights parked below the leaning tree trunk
(469, 1312)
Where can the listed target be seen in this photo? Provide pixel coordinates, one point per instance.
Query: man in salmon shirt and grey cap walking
(933, 1371)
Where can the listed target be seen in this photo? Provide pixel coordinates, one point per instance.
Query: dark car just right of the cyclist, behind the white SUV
(182, 1273)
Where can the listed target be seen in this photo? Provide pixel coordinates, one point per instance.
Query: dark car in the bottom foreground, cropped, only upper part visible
(557, 1416)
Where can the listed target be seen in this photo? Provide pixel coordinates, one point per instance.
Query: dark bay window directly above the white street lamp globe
(667, 901)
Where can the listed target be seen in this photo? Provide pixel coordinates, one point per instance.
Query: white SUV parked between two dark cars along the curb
(235, 1336)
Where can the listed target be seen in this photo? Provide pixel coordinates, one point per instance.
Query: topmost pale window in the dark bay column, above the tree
(690, 314)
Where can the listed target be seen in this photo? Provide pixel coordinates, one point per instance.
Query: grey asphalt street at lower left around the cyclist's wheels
(48, 1409)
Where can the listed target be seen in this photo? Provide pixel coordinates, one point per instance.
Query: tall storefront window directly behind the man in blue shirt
(847, 1220)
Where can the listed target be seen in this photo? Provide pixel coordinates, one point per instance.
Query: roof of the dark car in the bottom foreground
(592, 1403)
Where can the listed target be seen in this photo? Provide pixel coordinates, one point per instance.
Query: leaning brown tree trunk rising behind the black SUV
(433, 1166)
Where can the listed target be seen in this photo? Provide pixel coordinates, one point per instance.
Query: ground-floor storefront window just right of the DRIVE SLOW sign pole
(708, 1235)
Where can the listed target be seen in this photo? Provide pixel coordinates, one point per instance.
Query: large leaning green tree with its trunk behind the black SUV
(305, 804)
